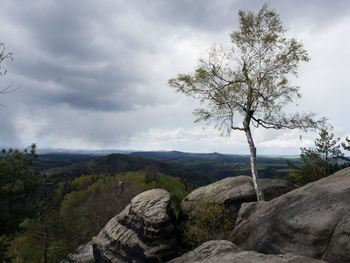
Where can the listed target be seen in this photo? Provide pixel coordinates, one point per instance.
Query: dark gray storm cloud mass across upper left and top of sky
(73, 37)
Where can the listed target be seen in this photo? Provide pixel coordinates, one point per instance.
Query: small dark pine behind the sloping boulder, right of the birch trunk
(319, 161)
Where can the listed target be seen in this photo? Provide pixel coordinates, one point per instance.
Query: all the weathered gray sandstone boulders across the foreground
(308, 224)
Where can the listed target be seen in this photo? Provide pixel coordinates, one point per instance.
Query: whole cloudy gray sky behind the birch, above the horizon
(93, 74)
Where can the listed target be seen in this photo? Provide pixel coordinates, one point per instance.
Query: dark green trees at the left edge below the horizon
(17, 186)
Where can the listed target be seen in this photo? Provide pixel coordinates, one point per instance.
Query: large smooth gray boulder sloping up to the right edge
(313, 220)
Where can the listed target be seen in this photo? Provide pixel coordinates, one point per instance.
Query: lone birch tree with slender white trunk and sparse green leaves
(247, 84)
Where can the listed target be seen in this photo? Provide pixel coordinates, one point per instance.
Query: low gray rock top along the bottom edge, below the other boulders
(223, 251)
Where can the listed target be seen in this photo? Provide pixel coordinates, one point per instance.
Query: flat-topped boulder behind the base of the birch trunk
(234, 191)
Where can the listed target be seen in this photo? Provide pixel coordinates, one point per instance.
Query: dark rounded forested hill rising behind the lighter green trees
(118, 163)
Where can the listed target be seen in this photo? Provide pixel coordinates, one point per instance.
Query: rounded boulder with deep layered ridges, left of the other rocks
(142, 232)
